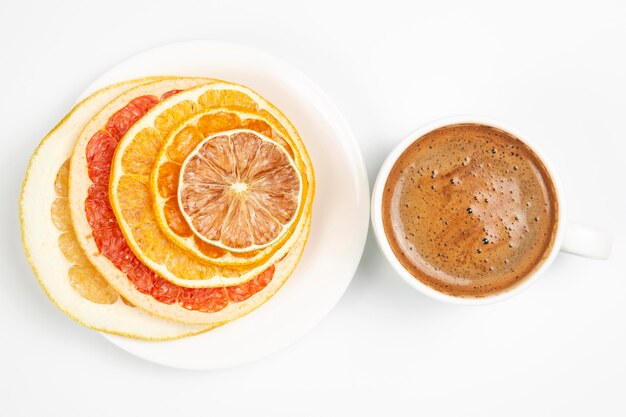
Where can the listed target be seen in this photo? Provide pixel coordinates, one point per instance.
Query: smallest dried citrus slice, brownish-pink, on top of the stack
(239, 190)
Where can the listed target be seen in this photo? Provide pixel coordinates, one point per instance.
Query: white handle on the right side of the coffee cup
(586, 241)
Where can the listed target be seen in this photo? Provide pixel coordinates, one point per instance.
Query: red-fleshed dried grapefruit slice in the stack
(112, 256)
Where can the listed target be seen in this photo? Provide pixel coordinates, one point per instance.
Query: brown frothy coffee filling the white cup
(470, 210)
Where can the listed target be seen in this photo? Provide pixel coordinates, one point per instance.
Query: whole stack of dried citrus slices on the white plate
(164, 207)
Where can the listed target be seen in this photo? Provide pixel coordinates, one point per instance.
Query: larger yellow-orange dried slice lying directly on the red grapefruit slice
(130, 192)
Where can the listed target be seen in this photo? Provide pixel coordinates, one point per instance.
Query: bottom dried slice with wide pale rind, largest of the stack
(57, 260)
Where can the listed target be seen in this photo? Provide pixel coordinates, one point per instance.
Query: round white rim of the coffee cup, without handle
(385, 247)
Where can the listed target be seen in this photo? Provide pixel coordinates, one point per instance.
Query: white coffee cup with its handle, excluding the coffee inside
(573, 238)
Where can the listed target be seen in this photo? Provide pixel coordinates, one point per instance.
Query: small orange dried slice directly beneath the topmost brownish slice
(164, 181)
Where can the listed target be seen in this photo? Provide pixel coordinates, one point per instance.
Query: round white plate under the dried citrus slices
(340, 216)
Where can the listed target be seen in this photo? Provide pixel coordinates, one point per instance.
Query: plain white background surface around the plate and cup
(554, 70)
